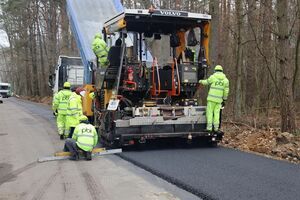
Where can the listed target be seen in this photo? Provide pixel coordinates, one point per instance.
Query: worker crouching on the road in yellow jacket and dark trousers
(84, 138)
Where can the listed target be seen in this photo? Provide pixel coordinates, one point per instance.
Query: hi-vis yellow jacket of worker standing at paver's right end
(219, 87)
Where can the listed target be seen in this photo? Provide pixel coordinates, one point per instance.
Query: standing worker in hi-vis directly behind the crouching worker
(74, 109)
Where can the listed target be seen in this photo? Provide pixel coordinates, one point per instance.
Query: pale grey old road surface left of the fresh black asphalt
(28, 132)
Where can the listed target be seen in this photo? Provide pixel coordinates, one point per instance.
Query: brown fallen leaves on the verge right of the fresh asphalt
(268, 142)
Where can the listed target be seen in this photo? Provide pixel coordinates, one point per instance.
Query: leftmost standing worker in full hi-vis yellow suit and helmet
(59, 107)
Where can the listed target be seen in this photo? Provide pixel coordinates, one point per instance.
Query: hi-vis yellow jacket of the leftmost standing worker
(60, 101)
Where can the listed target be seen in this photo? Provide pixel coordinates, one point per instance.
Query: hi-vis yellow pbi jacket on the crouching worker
(86, 136)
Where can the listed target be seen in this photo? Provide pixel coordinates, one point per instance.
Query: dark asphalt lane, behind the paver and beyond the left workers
(211, 173)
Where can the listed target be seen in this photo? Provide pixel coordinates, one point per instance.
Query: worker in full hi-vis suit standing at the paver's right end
(217, 96)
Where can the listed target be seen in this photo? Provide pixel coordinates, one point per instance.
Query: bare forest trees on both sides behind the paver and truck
(256, 41)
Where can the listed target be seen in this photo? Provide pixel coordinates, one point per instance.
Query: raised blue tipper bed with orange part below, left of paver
(84, 25)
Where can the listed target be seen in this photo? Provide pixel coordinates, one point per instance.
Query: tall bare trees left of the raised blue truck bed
(32, 29)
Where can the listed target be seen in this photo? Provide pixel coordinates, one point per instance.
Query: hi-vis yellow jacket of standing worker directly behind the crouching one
(74, 110)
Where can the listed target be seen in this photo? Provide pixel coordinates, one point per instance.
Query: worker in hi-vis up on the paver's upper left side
(100, 49)
